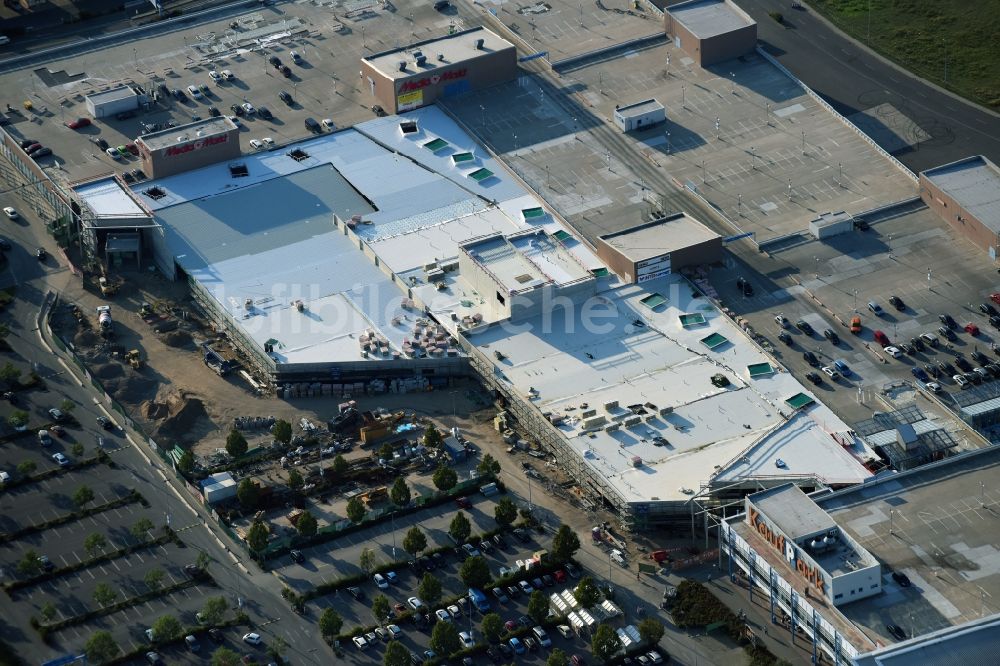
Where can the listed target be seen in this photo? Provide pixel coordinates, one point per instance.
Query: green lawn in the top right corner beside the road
(953, 43)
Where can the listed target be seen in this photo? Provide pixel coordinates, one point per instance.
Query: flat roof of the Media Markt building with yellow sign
(452, 49)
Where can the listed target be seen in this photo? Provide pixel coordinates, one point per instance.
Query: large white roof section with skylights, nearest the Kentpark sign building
(565, 364)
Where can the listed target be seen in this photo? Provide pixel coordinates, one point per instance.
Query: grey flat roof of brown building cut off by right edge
(975, 184)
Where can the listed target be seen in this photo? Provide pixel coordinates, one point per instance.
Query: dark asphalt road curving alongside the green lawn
(853, 79)
